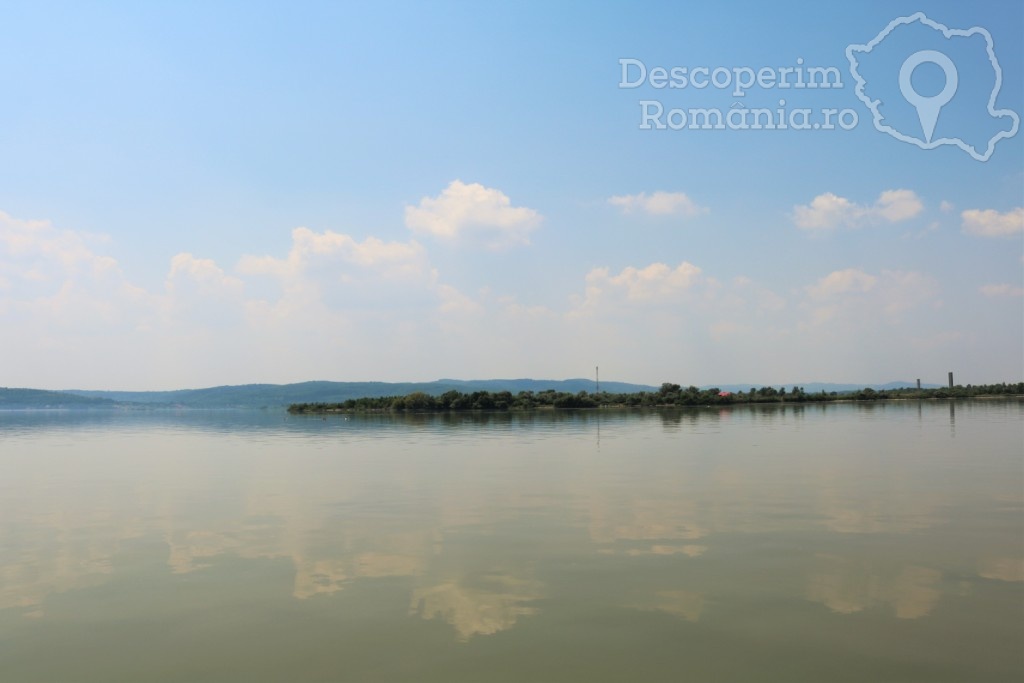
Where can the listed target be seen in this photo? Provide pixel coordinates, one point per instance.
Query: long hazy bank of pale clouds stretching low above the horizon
(331, 306)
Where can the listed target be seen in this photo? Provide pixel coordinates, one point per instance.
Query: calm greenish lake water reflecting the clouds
(878, 543)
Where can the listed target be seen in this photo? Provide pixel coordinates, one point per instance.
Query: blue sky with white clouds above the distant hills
(200, 194)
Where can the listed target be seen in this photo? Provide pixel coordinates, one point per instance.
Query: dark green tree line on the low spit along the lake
(668, 396)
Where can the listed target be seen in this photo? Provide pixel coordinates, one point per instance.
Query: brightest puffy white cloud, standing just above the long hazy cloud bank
(474, 215)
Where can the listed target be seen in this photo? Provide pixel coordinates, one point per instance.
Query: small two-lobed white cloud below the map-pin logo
(829, 211)
